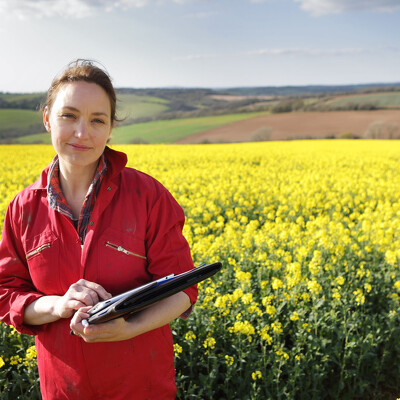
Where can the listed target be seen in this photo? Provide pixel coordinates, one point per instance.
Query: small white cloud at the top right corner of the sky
(323, 7)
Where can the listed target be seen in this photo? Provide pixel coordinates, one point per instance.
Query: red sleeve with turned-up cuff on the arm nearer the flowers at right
(167, 249)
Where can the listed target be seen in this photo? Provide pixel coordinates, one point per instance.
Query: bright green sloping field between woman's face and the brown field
(172, 130)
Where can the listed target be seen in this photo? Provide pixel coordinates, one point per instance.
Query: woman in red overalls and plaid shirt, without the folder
(90, 228)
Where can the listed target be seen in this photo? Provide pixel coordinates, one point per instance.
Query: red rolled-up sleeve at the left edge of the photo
(16, 288)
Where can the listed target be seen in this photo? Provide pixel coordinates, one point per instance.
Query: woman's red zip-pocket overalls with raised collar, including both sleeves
(41, 254)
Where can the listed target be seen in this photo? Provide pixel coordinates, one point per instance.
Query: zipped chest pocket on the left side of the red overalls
(42, 256)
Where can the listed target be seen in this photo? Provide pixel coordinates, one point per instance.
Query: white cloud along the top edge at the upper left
(25, 9)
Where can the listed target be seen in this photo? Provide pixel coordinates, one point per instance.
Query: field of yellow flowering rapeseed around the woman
(306, 305)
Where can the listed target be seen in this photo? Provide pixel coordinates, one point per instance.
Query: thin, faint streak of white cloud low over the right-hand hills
(307, 52)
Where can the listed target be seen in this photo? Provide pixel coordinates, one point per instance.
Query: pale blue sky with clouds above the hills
(201, 43)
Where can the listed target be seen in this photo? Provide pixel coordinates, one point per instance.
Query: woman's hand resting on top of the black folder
(80, 294)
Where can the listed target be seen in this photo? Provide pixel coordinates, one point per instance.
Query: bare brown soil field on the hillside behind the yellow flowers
(305, 125)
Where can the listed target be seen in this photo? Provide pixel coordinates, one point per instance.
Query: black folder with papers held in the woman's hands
(141, 297)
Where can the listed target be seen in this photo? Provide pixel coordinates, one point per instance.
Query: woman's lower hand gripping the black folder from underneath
(111, 331)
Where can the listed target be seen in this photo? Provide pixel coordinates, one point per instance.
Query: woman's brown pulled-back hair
(87, 71)
